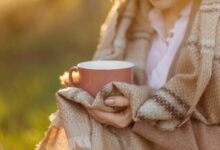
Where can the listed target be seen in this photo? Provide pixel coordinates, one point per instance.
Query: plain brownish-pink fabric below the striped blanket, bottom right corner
(193, 135)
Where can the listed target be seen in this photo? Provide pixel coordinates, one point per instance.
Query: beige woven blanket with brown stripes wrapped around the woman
(126, 36)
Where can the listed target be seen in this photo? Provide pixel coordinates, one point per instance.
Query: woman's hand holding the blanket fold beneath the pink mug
(118, 120)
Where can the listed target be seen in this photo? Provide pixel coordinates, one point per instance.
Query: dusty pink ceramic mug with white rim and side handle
(93, 75)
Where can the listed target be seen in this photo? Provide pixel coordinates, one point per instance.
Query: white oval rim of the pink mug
(126, 64)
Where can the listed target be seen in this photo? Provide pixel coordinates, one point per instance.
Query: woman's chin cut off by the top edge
(162, 4)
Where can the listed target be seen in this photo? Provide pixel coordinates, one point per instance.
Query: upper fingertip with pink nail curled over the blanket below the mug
(118, 101)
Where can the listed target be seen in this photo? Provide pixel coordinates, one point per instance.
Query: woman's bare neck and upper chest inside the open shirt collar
(171, 15)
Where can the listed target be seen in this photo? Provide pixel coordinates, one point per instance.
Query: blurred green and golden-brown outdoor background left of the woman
(39, 40)
